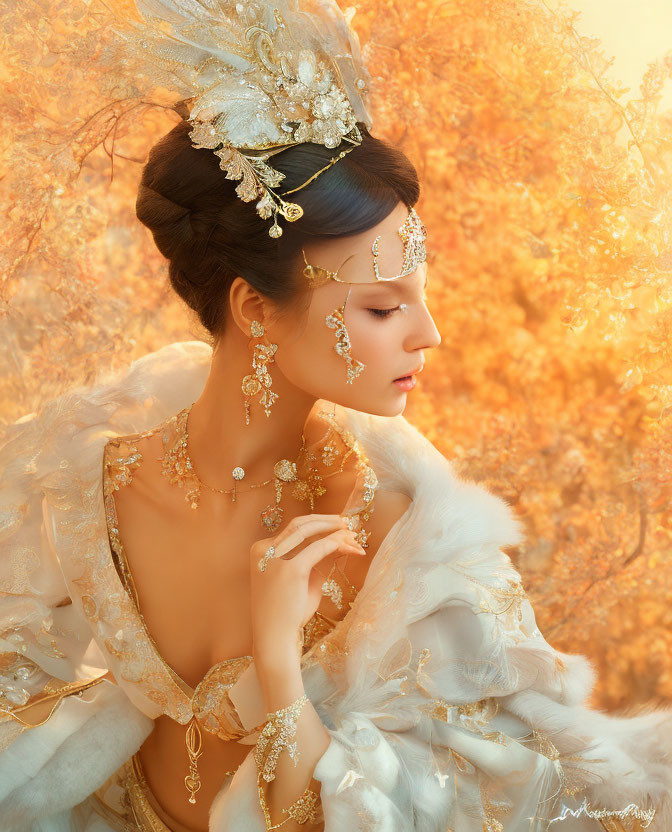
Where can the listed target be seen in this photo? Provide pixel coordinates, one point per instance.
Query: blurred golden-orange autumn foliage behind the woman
(546, 191)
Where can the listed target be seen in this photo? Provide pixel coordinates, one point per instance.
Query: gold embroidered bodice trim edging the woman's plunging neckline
(209, 701)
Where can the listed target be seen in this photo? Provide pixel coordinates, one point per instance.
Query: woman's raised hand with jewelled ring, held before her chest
(287, 593)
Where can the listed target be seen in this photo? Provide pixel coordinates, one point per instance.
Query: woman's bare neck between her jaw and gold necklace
(219, 438)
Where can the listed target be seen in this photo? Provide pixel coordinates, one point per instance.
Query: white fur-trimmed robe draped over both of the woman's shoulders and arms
(447, 709)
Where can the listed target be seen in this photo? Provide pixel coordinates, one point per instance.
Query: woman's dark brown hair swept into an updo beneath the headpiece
(210, 235)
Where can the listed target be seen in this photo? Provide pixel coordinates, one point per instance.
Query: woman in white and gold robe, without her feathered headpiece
(233, 612)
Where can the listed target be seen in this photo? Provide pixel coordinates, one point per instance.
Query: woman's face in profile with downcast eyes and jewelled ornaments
(388, 324)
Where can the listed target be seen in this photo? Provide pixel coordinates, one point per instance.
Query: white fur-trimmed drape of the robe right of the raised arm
(447, 708)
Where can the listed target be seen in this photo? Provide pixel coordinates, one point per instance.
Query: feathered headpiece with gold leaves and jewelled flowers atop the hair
(257, 78)
